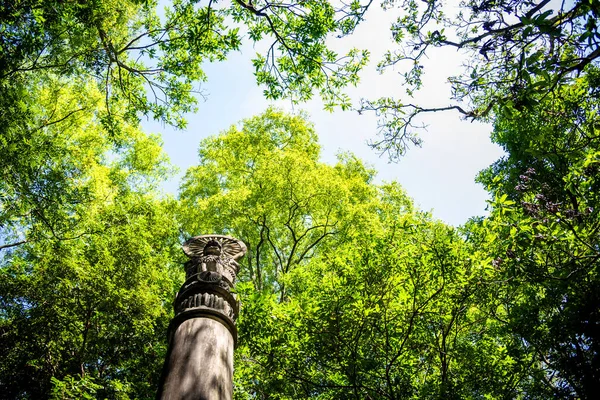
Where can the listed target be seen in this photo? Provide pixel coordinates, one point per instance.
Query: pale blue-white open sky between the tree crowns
(439, 176)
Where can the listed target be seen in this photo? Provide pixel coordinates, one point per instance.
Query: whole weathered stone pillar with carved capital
(203, 334)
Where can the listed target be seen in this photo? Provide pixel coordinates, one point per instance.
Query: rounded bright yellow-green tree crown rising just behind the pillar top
(264, 183)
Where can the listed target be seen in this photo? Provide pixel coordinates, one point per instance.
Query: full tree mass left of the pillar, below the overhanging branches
(87, 249)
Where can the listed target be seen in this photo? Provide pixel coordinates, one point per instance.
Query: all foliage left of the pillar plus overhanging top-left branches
(89, 249)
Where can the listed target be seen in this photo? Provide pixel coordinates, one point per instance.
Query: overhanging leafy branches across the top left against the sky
(152, 59)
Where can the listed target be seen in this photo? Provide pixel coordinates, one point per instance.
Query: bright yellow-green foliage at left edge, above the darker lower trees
(55, 157)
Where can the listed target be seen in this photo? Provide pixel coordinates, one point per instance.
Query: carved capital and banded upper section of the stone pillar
(210, 275)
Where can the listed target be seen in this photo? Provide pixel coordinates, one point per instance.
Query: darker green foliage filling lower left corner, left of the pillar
(94, 306)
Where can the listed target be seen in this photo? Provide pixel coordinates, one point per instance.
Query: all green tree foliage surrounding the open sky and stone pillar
(347, 290)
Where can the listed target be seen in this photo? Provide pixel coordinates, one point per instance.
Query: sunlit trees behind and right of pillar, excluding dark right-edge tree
(386, 302)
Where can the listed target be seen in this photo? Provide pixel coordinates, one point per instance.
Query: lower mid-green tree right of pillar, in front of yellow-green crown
(393, 313)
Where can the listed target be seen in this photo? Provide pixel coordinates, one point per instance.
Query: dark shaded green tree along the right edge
(543, 233)
